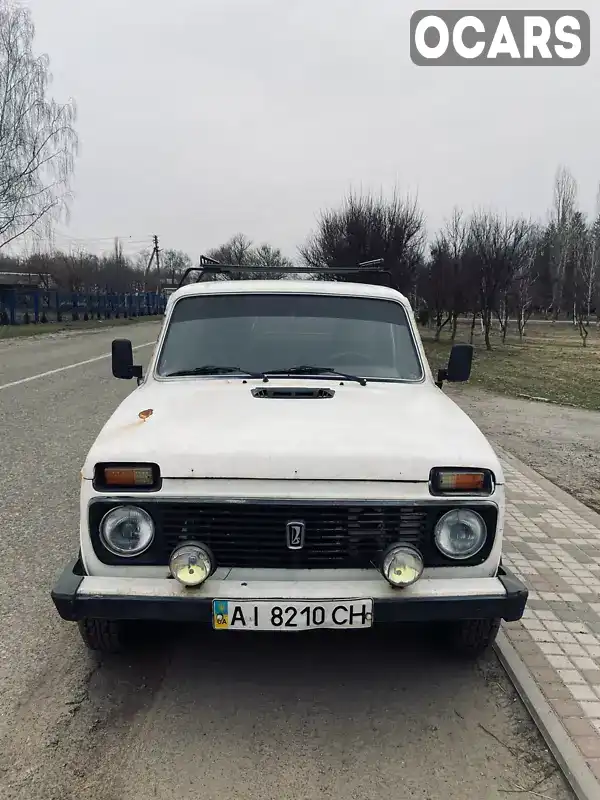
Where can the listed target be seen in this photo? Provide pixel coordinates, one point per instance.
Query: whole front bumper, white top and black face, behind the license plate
(77, 596)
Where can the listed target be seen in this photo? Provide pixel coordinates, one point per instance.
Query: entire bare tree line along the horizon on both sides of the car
(493, 270)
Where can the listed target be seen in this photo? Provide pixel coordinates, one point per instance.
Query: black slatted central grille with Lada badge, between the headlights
(254, 534)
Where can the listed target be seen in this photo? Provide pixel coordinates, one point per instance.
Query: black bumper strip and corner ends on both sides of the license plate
(73, 607)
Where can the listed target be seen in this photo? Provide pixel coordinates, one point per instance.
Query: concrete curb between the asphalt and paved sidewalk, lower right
(570, 761)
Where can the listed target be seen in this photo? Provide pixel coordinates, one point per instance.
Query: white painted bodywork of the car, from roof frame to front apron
(213, 439)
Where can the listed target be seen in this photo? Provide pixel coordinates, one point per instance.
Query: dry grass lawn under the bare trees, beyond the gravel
(550, 363)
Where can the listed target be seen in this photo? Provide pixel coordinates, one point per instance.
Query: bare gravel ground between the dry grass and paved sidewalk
(561, 443)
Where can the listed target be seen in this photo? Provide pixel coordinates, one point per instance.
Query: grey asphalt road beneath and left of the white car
(194, 713)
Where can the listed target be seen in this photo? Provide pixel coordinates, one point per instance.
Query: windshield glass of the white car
(262, 332)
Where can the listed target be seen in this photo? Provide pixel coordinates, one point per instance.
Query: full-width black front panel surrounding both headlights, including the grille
(252, 533)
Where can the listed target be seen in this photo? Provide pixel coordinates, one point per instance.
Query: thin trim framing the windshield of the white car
(163, 335)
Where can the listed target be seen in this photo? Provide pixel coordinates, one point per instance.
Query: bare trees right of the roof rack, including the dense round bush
(491, 269)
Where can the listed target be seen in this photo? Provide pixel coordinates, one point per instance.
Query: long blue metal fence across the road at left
(22, 307)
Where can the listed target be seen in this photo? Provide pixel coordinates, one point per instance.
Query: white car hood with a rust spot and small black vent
(216, 428)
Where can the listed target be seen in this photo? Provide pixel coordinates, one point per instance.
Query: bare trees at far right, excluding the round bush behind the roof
(498, 269)
